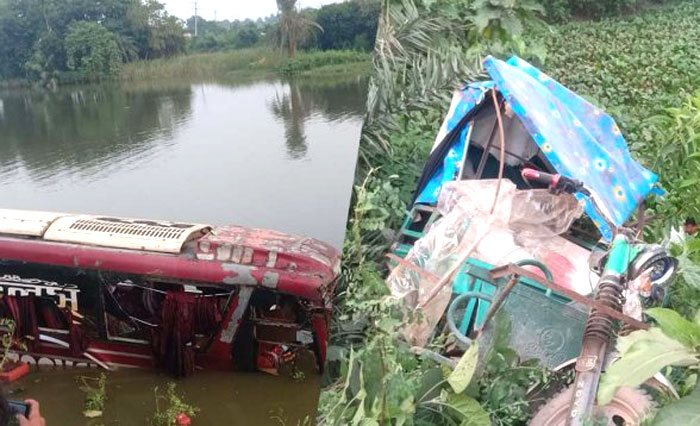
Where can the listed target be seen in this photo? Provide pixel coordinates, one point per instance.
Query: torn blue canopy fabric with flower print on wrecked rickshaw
(578, 139)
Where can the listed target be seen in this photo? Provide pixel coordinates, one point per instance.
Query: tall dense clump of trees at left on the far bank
(35, 36)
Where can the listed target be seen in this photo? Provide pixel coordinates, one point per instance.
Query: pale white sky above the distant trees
(231, 9)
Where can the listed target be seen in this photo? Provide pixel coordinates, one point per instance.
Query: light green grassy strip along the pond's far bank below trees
(244, 60)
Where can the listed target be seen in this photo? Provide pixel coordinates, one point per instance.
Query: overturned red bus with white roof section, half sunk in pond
(107, 291)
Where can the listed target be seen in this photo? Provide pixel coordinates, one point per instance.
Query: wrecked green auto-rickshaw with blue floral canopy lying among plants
(519, 219)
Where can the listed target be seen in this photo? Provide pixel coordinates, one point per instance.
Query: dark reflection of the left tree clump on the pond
(87, 129)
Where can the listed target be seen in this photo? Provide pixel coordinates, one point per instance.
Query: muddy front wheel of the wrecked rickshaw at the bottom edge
(629, 407)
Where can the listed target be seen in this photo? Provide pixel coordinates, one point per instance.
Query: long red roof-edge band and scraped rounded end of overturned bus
(302, 266)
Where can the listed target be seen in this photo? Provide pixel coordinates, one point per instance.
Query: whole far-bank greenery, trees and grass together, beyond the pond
(62, 41)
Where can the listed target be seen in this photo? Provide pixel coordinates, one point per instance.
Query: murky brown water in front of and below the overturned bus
(223, 399)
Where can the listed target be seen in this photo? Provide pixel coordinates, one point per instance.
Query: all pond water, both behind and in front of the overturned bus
(255, 152)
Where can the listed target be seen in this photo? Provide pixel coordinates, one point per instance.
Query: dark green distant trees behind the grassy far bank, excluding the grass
(77, 40)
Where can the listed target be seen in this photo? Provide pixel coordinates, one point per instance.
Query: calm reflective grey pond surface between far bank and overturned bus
(265, 153)
